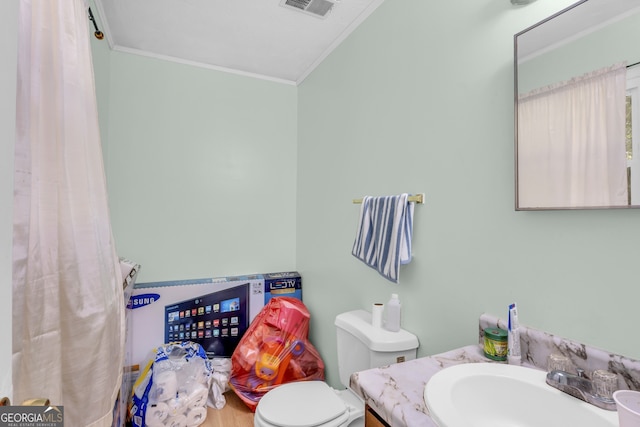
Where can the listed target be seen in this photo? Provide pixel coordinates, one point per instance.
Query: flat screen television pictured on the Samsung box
(216, 321)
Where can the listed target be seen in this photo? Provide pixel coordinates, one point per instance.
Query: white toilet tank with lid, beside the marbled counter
(362, 346)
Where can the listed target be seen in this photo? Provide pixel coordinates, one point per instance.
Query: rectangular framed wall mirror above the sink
(577, 109)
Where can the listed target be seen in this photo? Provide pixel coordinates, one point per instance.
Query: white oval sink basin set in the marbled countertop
(501, 395)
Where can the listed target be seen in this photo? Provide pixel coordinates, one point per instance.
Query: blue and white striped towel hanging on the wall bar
(383, 241)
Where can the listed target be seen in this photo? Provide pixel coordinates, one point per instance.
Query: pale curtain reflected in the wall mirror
(571, 142)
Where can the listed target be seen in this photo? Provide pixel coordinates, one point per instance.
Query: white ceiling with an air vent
(260, 38)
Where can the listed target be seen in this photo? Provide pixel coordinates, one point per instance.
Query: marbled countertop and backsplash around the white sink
(396, 392)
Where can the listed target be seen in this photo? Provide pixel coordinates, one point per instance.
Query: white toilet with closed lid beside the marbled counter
(313, 403)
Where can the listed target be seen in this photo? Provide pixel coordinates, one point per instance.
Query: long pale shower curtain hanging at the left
(68, 309)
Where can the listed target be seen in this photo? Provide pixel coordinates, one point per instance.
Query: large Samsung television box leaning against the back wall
(214, 312)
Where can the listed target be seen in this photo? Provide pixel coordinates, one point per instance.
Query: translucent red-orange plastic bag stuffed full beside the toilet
(274, 350)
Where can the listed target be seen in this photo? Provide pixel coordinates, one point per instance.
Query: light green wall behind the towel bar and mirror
(420, 99)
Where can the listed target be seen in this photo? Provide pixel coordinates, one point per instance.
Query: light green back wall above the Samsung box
(201, 170)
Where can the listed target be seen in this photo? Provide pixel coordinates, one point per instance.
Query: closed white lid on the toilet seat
(301, 404)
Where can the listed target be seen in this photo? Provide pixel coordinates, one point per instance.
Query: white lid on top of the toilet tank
(358, 323)
